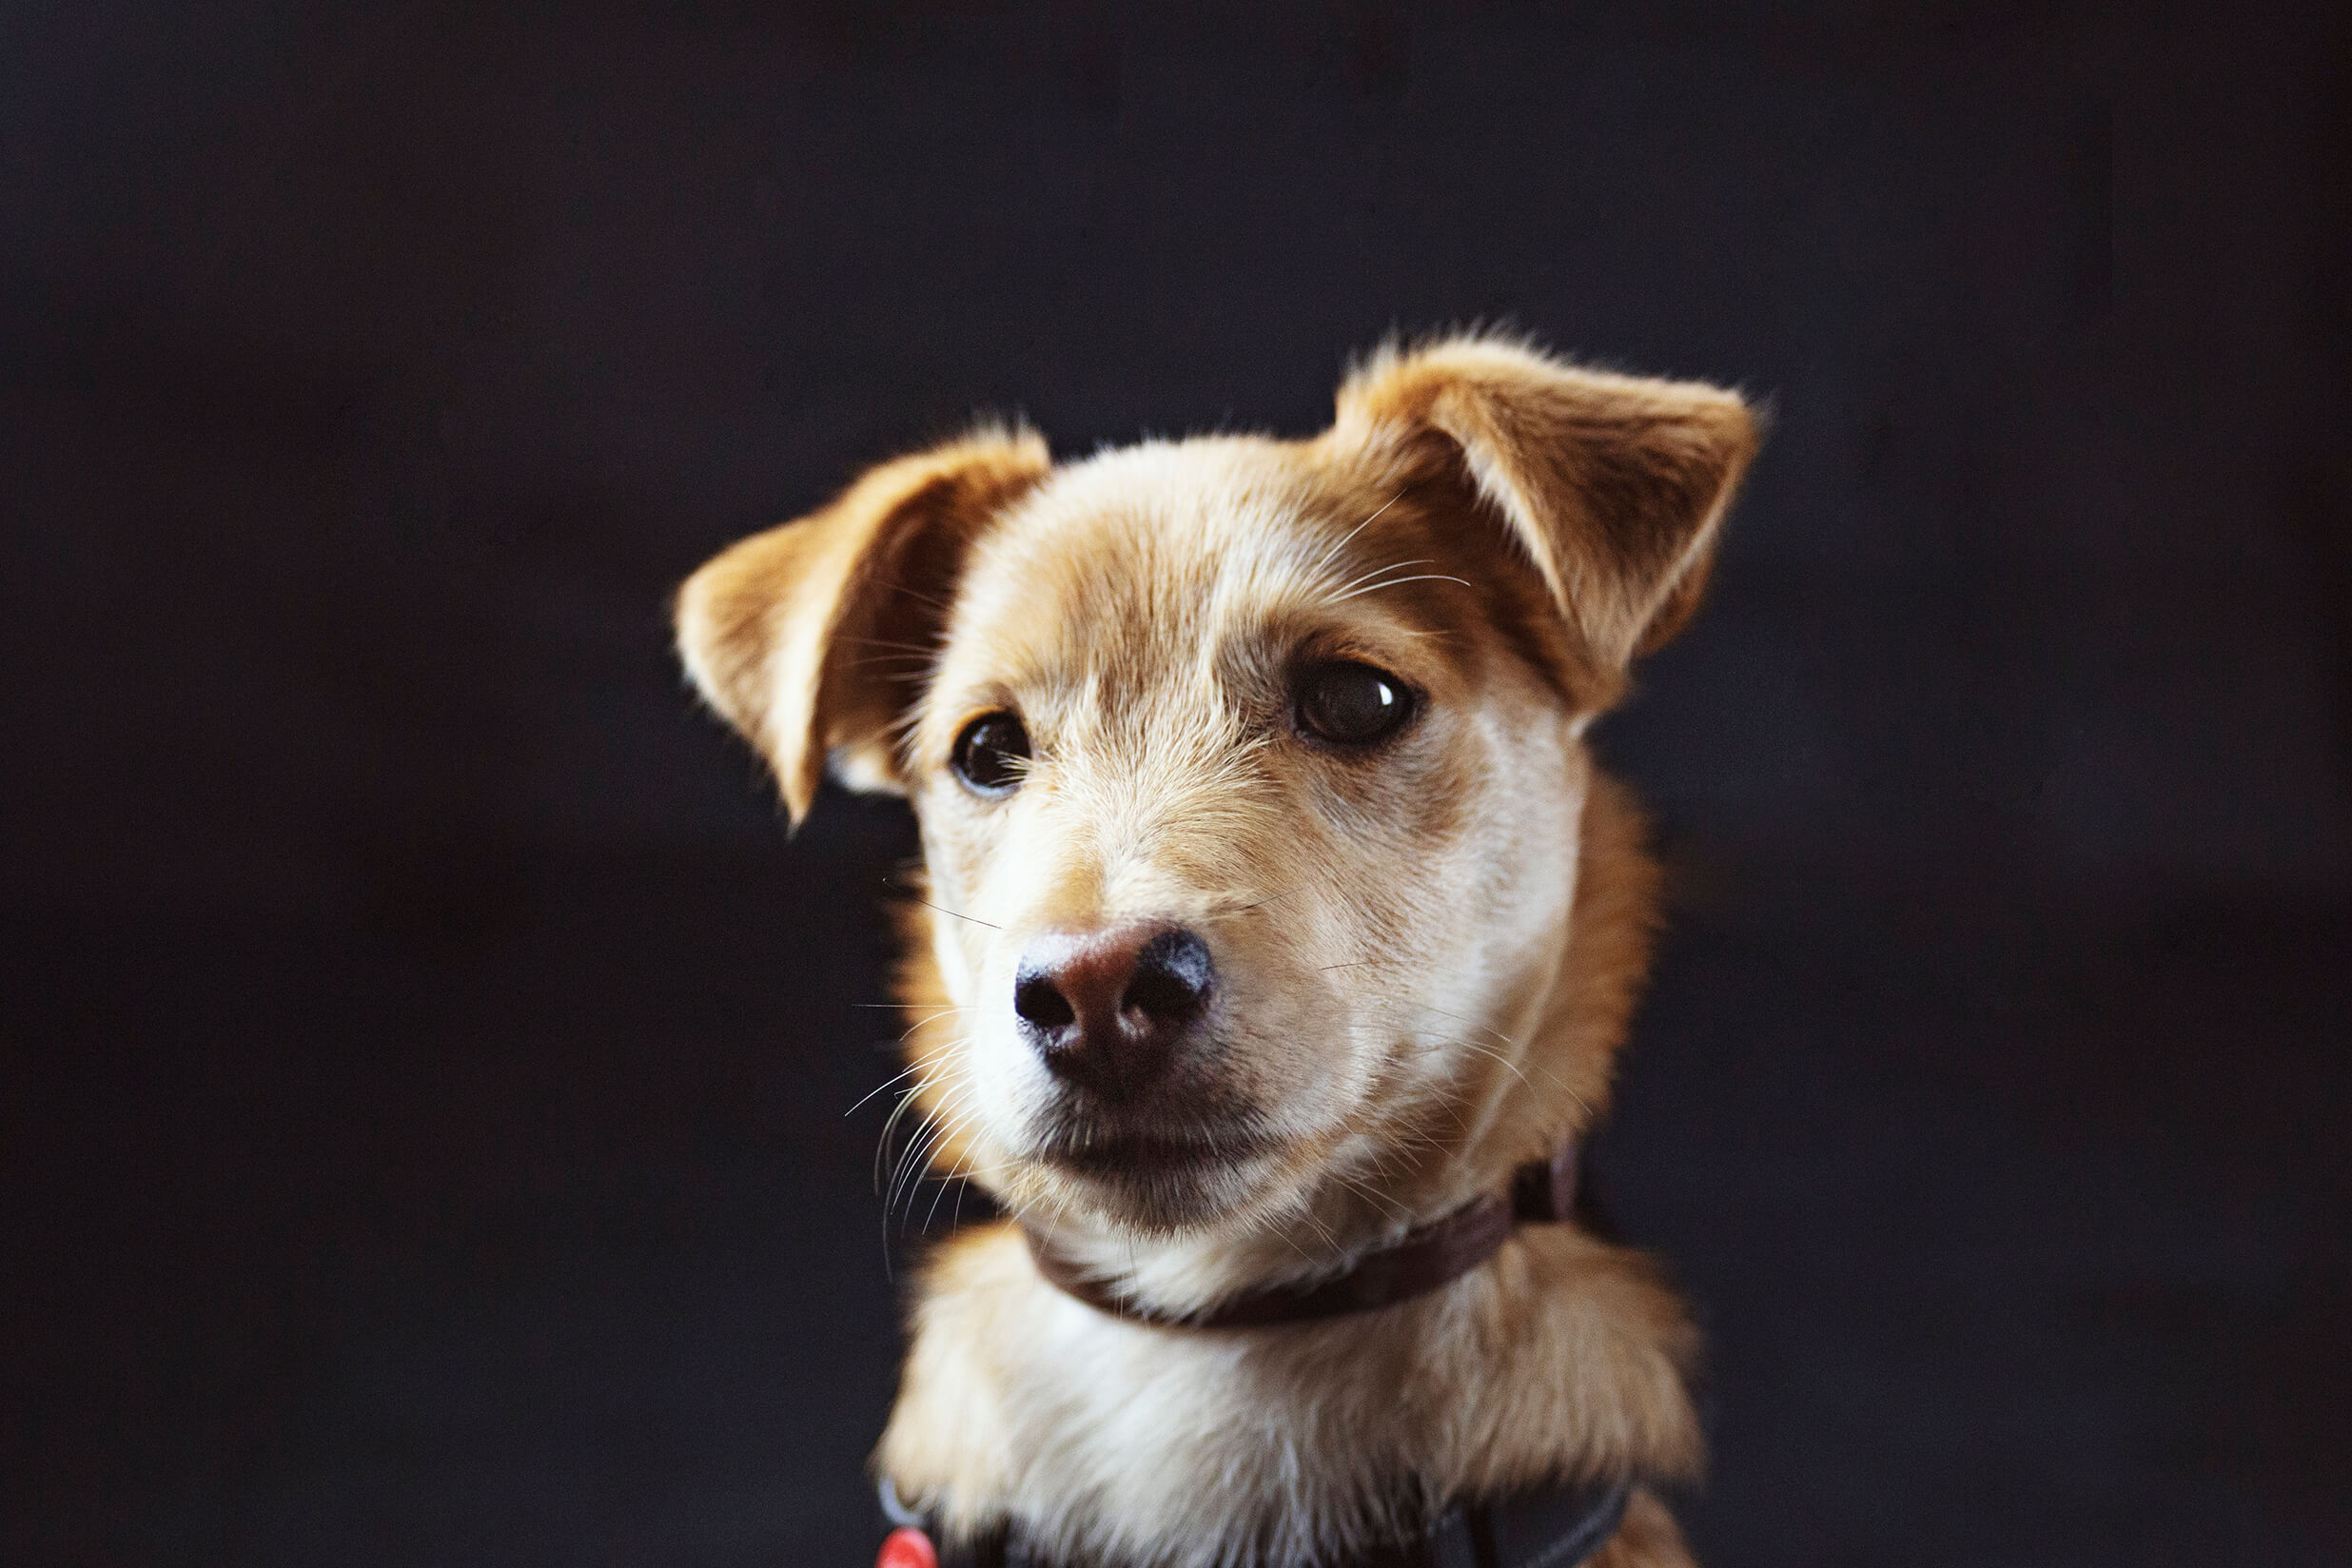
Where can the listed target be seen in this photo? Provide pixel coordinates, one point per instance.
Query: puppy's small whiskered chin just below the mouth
(1158, 1186)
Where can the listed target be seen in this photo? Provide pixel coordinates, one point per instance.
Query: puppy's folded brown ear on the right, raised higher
(1612, 485)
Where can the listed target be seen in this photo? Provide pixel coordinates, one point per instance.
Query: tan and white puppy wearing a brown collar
(1276, 930)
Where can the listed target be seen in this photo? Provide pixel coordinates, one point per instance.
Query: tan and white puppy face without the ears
(1259, 810)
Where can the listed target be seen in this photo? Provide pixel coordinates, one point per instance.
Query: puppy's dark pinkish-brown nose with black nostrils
(1107, 1010)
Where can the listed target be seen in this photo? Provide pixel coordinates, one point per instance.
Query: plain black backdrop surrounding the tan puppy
(425, 1064)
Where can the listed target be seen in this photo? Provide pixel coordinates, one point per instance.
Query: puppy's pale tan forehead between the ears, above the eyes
(1165, 551)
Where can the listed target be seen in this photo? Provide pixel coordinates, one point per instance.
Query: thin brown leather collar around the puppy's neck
(1419, 1261)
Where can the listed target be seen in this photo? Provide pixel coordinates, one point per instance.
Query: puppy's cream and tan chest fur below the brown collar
(1128, 1445)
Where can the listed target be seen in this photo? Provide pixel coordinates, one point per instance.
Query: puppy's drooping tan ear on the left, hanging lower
(810, 638)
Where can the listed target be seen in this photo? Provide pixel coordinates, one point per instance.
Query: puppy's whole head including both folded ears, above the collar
(1250, 772)
